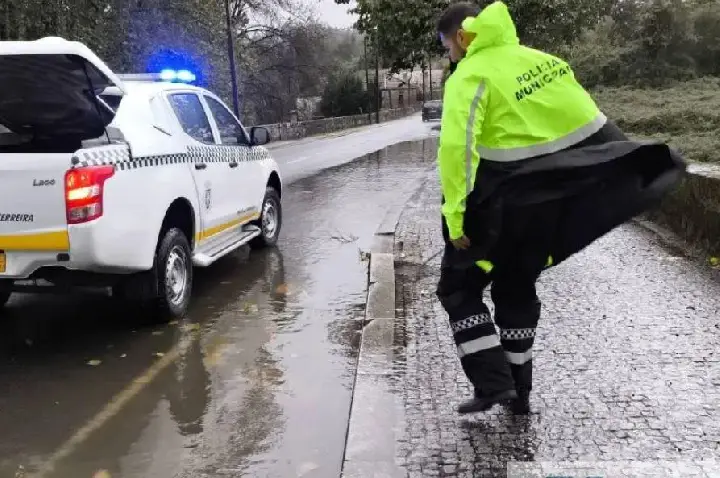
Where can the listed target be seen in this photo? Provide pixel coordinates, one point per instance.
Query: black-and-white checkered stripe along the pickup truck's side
(120, 157)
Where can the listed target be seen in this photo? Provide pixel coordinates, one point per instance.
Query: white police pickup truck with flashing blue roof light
(122, 182)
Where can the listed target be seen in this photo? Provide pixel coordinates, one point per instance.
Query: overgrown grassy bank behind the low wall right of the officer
(686, 115)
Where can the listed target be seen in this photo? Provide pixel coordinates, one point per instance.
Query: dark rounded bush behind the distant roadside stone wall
(345, 95)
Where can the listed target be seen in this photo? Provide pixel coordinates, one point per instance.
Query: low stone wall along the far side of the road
(302, 129)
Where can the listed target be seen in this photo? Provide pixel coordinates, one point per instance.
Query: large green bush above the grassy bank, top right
(654, 44)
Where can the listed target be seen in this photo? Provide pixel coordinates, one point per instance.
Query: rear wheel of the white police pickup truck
(174, 269)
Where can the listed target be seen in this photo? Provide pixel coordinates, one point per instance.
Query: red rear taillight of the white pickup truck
(84, 189)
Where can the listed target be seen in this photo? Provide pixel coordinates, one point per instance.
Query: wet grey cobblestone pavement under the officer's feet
(626, 359)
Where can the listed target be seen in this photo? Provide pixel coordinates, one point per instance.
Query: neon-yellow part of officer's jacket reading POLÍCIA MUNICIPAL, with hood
(505, 102)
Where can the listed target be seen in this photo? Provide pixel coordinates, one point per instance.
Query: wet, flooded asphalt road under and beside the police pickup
(255, 382)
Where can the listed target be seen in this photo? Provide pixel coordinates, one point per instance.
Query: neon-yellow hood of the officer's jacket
(493, 27)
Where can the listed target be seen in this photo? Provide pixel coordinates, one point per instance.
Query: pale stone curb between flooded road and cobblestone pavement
(375, 409)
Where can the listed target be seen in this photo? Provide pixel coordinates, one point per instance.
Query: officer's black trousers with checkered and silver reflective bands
(498, 362)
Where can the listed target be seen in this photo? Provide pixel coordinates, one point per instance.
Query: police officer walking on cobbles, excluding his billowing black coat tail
(503, 106)
